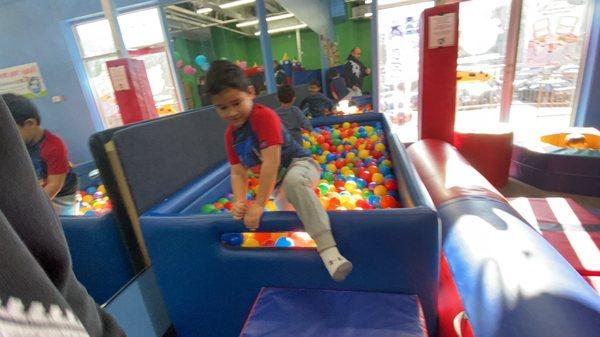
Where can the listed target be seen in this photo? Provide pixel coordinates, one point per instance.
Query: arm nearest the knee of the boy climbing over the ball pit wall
(271, 157)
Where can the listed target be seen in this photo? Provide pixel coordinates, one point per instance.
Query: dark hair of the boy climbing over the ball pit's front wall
(225, 75)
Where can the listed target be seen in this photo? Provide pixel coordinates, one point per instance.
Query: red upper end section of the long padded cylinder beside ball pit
(446, 174)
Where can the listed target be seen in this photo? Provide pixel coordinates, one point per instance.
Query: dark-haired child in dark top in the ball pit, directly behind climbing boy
(293, 119)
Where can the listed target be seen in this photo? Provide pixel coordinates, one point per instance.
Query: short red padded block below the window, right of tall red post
(489, 153)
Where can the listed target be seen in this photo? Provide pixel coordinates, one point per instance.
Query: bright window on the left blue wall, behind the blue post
(143, 36)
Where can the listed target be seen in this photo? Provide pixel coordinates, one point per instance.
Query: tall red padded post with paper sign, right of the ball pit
(437, 80)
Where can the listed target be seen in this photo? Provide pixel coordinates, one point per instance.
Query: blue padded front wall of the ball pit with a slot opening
(209, 288)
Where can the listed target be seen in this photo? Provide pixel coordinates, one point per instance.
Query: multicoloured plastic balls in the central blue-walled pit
(356, 175)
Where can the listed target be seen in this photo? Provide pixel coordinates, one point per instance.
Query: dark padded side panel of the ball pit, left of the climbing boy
(164, 155)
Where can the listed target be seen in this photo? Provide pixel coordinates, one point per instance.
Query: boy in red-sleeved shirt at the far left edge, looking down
(48, 154)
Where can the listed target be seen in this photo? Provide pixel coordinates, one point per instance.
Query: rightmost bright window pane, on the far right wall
(548, 65)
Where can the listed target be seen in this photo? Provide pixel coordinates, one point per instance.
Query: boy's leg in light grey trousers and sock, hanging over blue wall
(298, 184)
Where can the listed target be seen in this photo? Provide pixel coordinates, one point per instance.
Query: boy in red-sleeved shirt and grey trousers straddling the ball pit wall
(255, 137)
